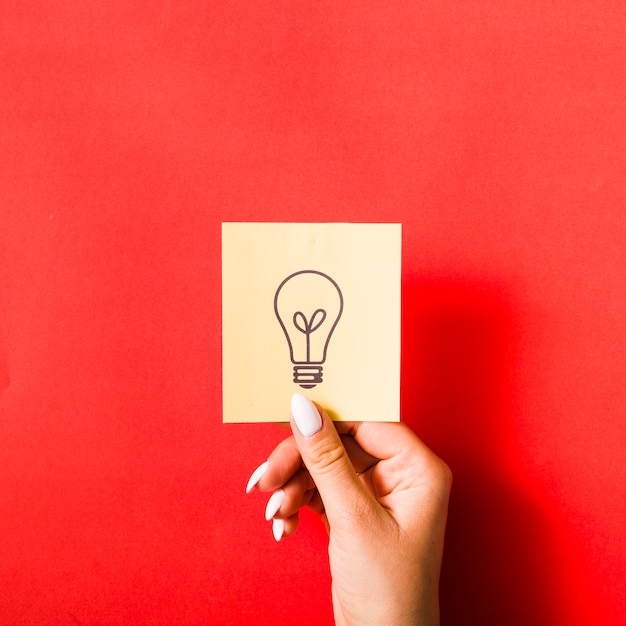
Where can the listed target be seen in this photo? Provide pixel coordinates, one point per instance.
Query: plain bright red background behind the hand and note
(495, 131)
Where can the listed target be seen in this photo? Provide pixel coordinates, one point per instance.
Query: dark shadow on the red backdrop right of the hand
(458, 394)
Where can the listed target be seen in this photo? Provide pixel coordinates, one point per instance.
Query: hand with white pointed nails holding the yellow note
(383, 496)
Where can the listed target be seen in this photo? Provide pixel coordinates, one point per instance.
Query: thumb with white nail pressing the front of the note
(344, 497)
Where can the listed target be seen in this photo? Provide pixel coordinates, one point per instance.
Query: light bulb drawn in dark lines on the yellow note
(308, 305)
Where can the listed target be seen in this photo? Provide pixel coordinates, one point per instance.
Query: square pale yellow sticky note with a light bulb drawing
(312, 309)
